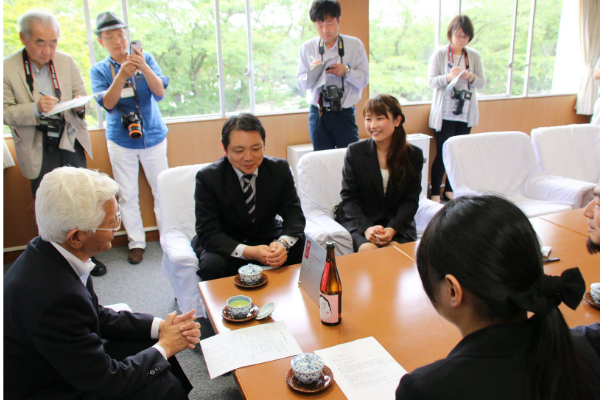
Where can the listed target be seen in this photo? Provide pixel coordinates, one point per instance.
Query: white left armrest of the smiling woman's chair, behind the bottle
(322, 227)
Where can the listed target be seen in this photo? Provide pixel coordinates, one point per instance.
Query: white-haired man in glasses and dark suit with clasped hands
(59, 342)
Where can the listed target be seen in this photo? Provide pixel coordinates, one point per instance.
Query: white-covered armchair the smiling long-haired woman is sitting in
(319, 187)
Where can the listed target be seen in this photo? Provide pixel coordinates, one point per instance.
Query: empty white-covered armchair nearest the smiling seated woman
(504, 163)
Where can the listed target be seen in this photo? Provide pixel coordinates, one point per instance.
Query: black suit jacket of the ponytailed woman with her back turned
(490, 363)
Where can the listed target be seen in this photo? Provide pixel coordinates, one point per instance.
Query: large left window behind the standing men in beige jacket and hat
(243, 60)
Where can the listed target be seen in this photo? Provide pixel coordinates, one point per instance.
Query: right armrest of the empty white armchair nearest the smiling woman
(557, 188)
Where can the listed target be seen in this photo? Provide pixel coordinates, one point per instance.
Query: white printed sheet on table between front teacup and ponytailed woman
(363, 369)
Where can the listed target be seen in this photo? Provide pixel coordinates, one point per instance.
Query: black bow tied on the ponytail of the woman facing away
(548, 291)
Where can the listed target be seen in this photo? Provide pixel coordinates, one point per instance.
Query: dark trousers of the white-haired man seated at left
(172, 384)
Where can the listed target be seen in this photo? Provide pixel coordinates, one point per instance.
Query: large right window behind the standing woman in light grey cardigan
(517, 41)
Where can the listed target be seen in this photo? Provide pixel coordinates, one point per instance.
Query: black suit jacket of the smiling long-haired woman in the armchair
(363, 201)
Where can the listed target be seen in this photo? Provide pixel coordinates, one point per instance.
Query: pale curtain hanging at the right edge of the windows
(589, 34)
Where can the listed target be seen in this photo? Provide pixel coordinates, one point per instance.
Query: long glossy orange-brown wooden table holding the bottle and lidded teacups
(383, 298)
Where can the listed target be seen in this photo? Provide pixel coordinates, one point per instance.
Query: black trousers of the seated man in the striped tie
(215, 266)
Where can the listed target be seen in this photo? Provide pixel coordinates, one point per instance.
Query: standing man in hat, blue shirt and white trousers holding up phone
(133, 85)
